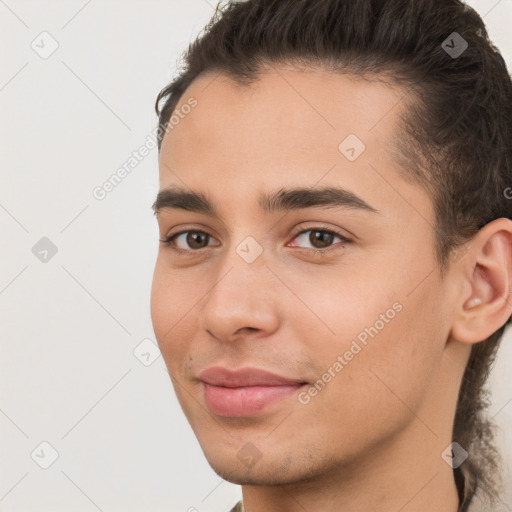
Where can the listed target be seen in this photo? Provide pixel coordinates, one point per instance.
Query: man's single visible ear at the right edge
(485, 304)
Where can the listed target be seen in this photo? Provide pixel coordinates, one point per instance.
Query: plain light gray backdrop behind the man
(69, 327)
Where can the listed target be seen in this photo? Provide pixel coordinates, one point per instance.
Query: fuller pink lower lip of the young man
(238, 402)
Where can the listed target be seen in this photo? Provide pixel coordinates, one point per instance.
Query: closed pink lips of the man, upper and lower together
(245, 391)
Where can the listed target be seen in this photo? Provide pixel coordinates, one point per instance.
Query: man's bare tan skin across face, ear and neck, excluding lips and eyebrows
(372, 438)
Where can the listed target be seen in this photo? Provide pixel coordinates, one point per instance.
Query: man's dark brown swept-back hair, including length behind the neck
(455, 132)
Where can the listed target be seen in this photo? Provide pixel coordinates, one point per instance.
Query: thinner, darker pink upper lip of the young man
(219, 376)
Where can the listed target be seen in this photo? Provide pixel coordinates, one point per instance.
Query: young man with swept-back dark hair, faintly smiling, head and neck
(335, 267)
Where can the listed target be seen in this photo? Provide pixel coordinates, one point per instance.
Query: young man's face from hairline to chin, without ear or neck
(338, 291)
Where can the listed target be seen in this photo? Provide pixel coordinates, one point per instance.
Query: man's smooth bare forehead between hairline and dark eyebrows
(289, 126)
